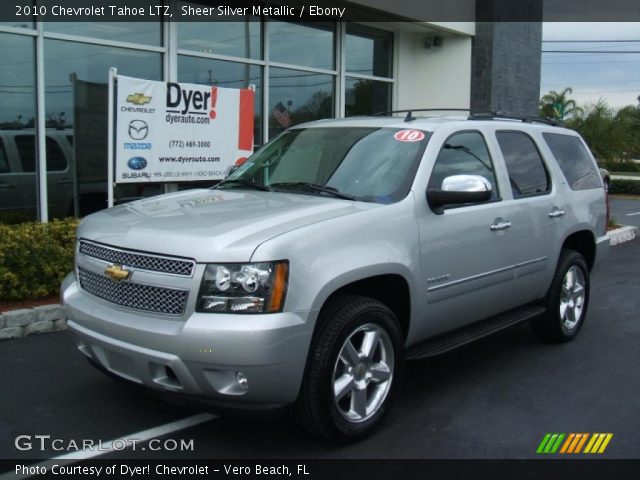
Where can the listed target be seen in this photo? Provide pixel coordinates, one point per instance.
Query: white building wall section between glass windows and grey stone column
(432, 78)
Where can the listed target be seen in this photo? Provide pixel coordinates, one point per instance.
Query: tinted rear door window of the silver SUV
(527, 173)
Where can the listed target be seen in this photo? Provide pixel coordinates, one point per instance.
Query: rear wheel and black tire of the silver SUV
(566, 301)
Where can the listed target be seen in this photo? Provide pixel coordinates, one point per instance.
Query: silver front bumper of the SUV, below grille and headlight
(199, 357)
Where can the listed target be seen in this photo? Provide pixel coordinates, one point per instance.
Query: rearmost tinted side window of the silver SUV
(574, 161)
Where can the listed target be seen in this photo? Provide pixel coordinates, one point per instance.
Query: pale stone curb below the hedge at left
(29, 321)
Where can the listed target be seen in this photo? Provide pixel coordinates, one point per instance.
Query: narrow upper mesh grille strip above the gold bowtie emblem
(142, 261)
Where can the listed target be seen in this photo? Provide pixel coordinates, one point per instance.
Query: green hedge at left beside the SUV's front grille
(35, 257)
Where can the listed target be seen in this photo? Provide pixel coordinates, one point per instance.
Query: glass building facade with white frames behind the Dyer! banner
(53, 92)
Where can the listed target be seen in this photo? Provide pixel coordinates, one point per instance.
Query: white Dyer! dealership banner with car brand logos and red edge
(172, 132)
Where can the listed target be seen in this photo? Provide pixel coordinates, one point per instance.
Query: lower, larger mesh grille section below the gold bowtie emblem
(171, 301)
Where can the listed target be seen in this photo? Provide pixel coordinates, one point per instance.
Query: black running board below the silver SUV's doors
(461, 336)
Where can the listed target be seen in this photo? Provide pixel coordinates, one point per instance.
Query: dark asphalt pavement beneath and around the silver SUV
(495, 398)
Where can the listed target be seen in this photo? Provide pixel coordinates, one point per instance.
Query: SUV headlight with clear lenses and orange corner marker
(243, 287)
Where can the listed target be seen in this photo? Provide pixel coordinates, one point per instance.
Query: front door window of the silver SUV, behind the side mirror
(464, 154)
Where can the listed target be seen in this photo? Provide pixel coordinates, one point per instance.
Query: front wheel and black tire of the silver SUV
(354, 368)
